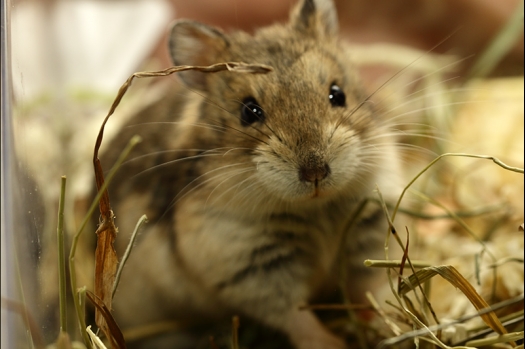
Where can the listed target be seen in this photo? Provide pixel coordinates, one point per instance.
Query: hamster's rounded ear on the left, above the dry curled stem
(196, 44)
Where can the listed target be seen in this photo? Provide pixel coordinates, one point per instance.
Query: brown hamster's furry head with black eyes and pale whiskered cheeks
(299, 133)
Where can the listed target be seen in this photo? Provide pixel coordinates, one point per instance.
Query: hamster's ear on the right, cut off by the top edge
(316, 18)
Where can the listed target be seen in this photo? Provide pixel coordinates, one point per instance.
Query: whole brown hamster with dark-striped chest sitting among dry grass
(251, 181)
